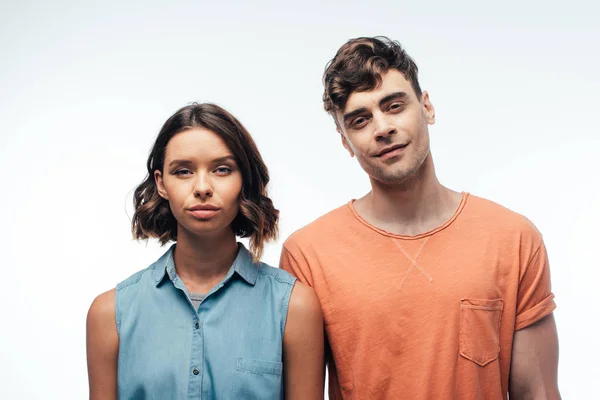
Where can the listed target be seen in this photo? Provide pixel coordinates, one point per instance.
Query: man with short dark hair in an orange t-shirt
(427, 293)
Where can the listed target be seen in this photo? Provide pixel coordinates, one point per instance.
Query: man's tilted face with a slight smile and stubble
(386, 129)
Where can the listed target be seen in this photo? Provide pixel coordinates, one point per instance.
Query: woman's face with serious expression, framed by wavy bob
(202, 182)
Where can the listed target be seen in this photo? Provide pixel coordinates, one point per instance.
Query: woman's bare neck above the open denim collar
(201, 262)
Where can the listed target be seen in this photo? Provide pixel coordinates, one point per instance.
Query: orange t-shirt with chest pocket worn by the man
(430, 316)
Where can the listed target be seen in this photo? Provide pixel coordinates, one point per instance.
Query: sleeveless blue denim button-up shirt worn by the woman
(229, 348)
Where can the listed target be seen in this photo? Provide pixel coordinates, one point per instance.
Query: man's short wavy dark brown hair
(358, 66)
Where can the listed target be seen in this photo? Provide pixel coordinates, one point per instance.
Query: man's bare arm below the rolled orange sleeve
(534, 366)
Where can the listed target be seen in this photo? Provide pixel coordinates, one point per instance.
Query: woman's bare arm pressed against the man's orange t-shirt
(303, 360)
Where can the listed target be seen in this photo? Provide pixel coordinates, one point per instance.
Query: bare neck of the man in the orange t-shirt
(416, 206)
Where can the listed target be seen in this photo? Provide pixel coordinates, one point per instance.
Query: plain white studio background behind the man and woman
(85, 87)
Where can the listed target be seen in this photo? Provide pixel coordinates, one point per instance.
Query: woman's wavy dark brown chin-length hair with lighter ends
(257, 218)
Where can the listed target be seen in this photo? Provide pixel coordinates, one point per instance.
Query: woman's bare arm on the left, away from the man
(102, 343)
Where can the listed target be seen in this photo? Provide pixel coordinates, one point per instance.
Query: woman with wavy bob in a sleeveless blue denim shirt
(207, 319)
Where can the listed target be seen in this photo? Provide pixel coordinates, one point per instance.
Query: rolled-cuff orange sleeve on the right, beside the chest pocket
(535, 298)
